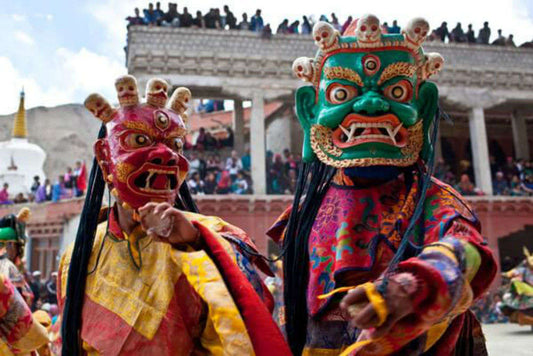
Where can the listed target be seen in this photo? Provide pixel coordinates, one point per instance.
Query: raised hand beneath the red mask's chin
(167, 224)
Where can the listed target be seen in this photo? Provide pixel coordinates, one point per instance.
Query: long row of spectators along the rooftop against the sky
(225, 19)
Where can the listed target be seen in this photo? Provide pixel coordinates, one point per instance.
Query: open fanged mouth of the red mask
(156, 179)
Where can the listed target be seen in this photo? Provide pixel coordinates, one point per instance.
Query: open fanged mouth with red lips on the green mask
(357, 129)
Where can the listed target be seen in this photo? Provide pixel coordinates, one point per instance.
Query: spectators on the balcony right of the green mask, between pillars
(514, 178)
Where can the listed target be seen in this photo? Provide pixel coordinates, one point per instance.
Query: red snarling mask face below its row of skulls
(141, 156)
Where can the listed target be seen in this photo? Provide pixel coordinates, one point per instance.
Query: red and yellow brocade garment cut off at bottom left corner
(20, 332)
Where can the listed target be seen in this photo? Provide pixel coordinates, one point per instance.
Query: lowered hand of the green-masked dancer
(398, 298)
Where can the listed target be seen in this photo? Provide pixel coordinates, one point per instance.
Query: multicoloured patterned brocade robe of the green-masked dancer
(354, 237)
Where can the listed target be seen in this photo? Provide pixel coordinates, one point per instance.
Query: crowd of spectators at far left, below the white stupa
(69, 185)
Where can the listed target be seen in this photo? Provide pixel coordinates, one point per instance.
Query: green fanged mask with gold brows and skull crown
(370, 103)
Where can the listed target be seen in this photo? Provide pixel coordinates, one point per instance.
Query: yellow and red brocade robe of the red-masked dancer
(145, 297)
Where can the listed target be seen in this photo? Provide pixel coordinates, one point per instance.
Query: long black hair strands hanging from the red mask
(83, 246)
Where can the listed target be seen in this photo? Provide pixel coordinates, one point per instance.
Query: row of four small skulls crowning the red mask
(128, 96)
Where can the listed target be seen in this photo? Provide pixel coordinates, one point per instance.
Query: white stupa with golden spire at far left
(20, 160)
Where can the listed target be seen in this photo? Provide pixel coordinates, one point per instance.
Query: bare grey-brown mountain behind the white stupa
(65, 132)
